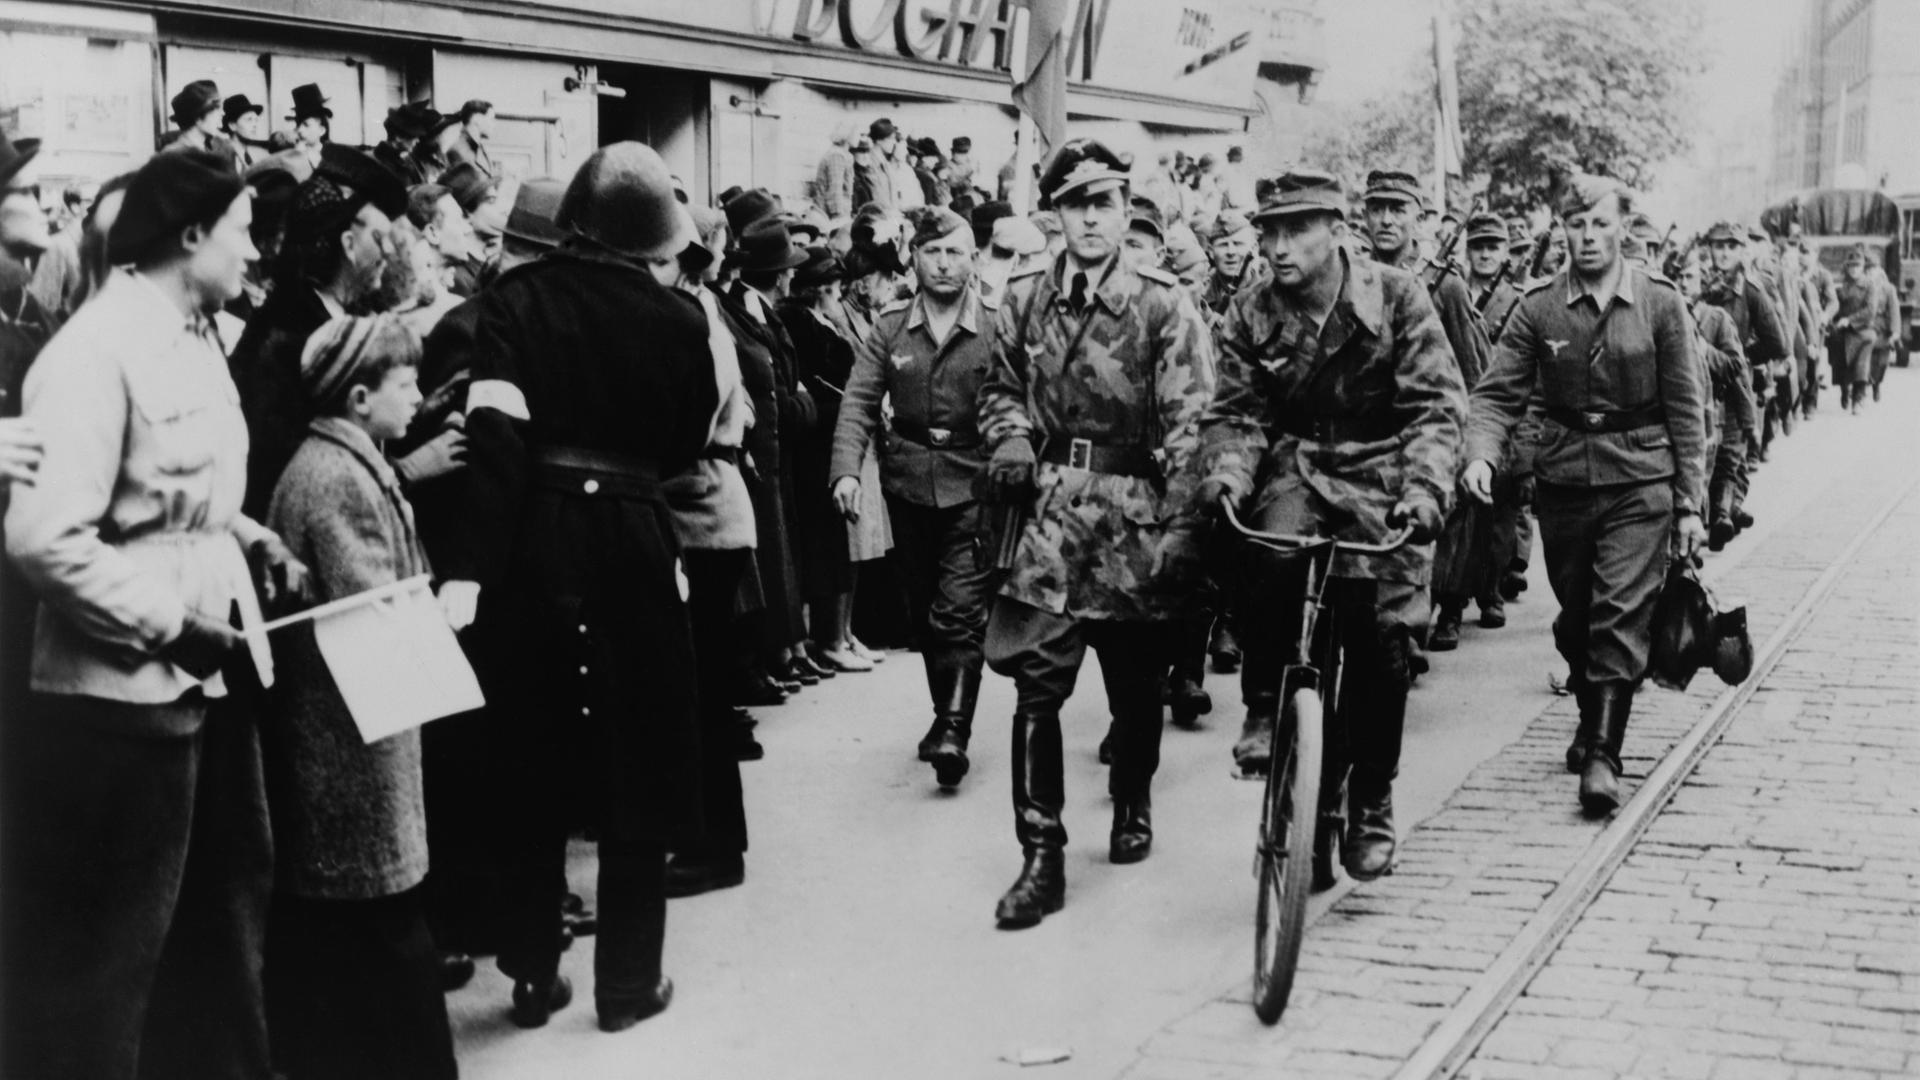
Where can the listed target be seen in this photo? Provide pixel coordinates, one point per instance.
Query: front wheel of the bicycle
(1285, 856)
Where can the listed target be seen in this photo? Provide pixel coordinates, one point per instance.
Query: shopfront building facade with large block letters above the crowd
(729, 91)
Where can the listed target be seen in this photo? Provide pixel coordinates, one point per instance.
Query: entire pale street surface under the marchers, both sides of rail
(1764, 927)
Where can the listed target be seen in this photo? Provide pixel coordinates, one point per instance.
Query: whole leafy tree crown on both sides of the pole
(1547, 87)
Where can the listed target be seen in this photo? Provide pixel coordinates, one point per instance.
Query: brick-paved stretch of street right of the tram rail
(1769, 923)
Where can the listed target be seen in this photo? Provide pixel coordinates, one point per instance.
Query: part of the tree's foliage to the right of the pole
(1550, 87)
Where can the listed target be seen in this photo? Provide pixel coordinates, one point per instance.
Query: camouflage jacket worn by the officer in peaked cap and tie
(1097, 545)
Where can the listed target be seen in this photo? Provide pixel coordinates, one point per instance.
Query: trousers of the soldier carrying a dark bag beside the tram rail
(1606, 558)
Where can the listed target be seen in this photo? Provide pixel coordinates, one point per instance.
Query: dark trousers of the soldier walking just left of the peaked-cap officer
(948, 576)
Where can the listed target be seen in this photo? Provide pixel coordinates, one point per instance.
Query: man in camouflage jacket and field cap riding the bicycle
(1341, 412)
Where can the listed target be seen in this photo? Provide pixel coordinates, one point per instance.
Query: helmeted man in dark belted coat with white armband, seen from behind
(590, 383)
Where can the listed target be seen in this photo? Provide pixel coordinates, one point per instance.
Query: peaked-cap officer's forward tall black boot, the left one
(1038, 798)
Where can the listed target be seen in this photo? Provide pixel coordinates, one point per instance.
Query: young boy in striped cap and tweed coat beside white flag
(352, 973)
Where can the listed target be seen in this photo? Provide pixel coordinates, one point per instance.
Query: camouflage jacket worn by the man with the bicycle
(1381, 362)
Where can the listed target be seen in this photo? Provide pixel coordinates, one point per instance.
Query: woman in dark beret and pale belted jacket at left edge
(135, 831)
